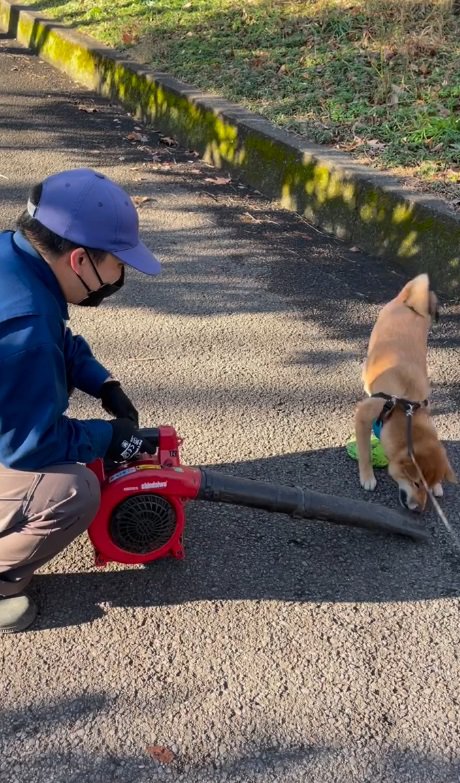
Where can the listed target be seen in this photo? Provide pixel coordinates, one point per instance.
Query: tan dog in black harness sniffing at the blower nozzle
(396, 366)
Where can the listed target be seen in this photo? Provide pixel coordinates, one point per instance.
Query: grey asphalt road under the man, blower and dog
(278, 650)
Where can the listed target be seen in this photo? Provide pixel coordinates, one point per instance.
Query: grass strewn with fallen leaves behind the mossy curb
(380, 80)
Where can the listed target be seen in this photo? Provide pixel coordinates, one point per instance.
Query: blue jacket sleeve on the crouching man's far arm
(83, 371)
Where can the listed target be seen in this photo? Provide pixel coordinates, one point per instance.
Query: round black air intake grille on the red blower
(142, 523)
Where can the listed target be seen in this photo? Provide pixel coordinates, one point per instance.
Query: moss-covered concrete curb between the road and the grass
(362, 206)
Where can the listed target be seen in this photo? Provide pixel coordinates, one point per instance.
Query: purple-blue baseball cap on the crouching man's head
(87, 208)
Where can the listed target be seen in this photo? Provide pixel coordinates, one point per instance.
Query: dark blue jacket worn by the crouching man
(40, 360)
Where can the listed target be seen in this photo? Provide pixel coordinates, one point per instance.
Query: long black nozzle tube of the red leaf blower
(304, 504)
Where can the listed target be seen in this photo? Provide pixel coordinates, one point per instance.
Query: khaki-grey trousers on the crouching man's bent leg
(40, 514)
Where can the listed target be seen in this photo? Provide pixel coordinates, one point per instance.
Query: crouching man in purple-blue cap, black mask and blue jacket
(72, 245)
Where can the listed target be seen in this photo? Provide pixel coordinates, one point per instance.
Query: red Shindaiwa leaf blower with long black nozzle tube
(141, 516)
